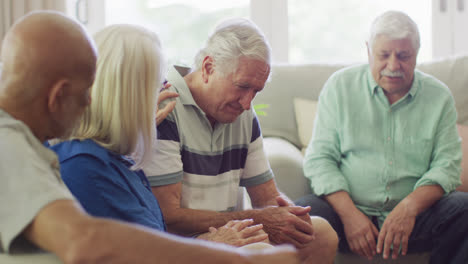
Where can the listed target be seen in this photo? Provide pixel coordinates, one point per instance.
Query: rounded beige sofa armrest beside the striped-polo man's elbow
(286, 162)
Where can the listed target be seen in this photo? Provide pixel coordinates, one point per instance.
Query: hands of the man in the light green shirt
(362, 234)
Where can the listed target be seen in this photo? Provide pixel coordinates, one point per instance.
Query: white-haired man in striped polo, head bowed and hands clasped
(211, 144)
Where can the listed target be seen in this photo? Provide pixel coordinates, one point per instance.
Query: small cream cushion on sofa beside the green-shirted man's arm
(305, 110)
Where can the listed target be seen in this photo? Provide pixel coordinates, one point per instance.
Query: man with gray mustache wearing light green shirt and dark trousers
(384, 158)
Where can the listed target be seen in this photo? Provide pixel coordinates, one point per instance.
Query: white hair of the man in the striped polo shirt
(232, 39)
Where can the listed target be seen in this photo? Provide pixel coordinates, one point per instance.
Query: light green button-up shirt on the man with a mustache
(377, 152)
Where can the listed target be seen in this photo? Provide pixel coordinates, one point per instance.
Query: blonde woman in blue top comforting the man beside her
(102, 159)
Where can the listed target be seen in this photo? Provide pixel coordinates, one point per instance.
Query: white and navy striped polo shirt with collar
(210, 162)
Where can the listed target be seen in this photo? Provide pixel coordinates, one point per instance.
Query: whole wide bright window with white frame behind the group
(300, 31)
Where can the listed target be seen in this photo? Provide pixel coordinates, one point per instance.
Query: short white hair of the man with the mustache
(395, 25)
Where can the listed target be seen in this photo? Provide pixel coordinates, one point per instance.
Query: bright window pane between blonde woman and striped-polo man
(182, 25)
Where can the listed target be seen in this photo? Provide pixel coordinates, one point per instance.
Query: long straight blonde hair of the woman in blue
(129, 73)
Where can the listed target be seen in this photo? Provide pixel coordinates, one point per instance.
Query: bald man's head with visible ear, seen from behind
(48, 58)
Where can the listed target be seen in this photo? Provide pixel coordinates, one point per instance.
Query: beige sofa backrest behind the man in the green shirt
(306, 81)
